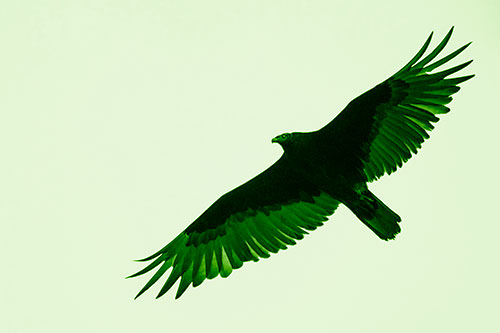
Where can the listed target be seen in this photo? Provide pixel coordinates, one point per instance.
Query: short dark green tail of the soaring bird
(376, 215)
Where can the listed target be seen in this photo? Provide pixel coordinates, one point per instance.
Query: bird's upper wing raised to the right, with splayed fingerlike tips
(381, 129)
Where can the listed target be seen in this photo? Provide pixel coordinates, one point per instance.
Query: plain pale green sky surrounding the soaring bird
(121, 121)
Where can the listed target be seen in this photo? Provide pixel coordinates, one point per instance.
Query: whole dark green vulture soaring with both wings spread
(372, 136)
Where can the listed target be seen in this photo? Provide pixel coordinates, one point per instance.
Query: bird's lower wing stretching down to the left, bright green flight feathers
(262, 216)
